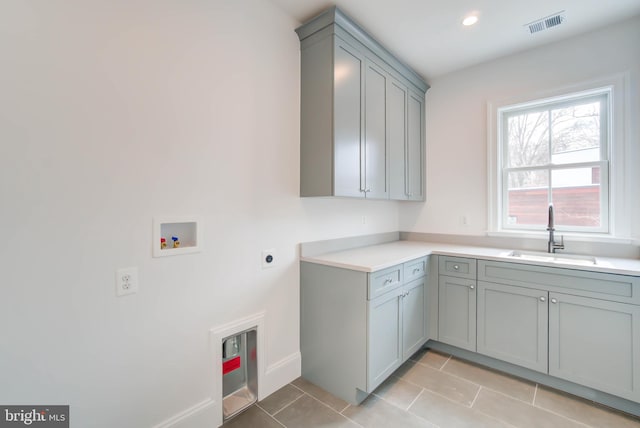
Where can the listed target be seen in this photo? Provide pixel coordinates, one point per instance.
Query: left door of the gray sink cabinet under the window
(512, 324)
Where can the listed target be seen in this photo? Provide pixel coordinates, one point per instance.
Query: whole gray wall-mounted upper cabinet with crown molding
(362, 115)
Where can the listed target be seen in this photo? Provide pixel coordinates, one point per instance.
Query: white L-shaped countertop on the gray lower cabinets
(376, 257)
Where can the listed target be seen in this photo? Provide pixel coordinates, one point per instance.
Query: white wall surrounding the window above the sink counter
(456, 121)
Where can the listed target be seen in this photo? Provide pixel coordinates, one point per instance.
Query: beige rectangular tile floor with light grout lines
(433, 390)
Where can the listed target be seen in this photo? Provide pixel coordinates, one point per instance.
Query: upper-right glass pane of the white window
(575, 133)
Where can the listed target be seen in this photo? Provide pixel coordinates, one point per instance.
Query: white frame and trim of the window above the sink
(616, 221)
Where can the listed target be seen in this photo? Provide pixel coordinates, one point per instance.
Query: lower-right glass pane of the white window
(576, 196)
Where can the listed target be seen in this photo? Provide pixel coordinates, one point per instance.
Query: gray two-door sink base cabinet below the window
(575, 325)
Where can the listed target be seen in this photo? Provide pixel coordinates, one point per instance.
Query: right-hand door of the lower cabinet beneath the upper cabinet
(414, 333)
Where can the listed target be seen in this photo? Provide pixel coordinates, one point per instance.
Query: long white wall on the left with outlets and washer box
(113, 112)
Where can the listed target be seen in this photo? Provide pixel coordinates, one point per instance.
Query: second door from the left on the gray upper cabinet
(375, 120)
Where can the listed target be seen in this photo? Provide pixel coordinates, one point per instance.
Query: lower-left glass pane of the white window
(528, 197)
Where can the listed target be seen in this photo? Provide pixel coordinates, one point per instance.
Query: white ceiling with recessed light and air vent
(428, 35)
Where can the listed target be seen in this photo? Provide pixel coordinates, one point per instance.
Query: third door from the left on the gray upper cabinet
(397, 127)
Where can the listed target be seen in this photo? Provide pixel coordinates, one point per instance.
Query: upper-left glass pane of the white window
(528, 139)
